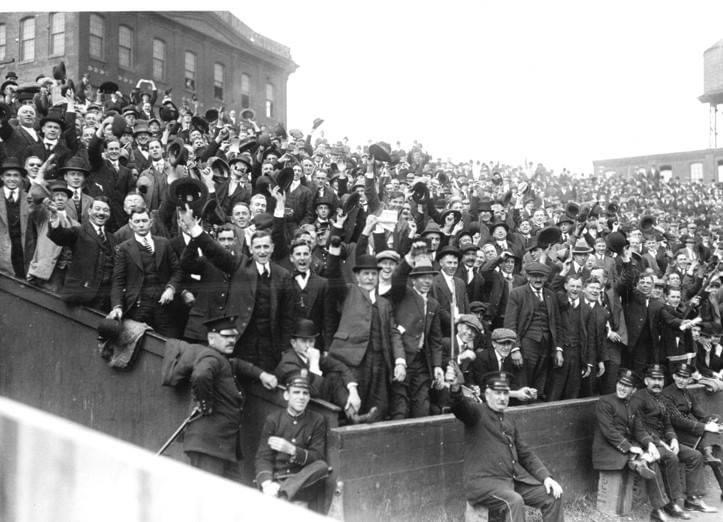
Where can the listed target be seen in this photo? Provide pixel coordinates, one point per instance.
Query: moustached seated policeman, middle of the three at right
(660, 440)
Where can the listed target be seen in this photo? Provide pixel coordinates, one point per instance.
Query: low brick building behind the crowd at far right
(702, 166)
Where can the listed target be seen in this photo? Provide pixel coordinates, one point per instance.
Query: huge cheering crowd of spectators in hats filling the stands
(403, 262)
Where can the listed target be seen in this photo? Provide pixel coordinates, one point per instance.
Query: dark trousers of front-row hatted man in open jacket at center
(411, 397)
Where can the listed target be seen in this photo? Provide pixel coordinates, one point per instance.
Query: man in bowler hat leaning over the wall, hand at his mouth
(329, 378)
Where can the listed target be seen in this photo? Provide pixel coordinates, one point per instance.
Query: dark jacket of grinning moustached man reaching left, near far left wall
(90, 266)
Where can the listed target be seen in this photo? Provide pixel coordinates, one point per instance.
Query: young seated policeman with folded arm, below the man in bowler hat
(290, 459)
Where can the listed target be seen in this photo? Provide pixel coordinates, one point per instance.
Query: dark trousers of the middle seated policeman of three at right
(688, 459)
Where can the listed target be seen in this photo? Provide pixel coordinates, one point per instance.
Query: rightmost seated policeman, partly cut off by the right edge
(694, 426)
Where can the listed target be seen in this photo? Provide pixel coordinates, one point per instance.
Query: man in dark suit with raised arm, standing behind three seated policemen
(641, 315)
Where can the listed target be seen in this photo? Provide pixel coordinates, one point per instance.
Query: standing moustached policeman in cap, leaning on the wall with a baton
(212, 441)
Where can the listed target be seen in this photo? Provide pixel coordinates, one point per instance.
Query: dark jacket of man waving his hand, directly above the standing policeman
(244, 278)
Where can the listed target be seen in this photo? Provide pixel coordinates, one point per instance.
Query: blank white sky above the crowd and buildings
(557, 82)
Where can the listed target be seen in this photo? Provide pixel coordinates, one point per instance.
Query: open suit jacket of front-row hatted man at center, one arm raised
(413, 323)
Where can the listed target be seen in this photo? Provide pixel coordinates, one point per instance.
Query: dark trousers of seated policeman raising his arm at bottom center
(513, 502)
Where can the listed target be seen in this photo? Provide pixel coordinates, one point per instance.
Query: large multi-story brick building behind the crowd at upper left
(211, 54)
